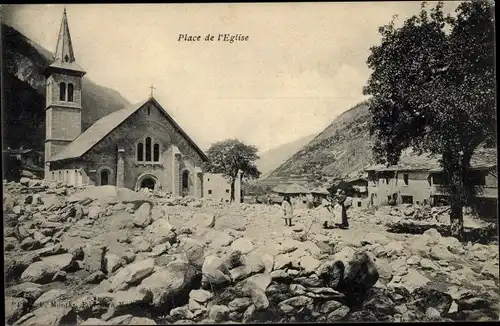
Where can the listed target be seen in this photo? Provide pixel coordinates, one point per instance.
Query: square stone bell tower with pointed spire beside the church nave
(63, 109)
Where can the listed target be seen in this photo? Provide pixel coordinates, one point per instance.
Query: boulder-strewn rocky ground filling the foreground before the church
(107, 256)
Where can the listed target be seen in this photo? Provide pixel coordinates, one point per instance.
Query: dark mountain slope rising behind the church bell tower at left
(23, 92)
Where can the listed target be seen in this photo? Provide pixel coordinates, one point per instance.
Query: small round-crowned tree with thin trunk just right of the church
(230, 156)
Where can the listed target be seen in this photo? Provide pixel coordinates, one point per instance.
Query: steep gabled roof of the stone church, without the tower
(102, 127)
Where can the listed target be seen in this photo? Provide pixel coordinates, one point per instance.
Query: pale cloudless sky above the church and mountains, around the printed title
(302, 65)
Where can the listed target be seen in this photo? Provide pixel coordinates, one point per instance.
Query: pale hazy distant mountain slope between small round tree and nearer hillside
(272, 158)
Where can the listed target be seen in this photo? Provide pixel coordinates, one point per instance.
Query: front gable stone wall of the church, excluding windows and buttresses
(137, 127)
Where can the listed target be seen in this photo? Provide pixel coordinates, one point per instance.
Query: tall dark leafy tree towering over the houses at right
(433, 89)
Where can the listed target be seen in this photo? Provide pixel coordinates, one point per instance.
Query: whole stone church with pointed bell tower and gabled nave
(140, 146)
